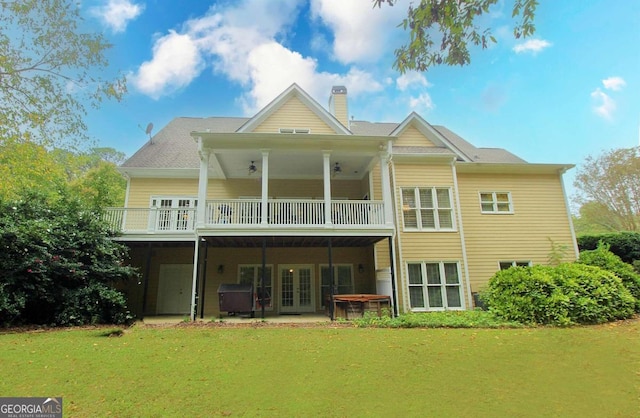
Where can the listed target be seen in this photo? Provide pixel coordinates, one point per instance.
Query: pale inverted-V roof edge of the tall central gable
(294, 91)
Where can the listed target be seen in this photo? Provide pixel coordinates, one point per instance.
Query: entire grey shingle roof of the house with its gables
(173, 147)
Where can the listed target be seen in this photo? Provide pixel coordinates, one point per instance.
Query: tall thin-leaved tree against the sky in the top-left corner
(49, 70)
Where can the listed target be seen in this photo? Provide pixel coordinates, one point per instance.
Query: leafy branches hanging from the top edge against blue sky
(458, 25)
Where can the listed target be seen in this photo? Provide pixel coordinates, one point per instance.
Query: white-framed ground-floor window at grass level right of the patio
(435, 286)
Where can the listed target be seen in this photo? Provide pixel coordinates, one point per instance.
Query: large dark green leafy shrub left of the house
(59, 264)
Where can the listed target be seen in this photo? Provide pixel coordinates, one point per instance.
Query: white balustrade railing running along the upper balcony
(247, 215)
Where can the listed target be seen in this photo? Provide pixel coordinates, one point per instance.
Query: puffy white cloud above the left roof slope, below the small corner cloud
(176, 62)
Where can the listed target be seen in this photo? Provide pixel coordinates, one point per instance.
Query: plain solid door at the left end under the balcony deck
(174, 289)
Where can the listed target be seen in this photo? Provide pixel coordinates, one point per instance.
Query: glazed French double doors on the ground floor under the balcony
(297, 288)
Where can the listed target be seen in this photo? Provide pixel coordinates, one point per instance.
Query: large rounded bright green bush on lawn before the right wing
(568, 294)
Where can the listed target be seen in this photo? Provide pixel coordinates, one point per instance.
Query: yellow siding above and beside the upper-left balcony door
(141, 189)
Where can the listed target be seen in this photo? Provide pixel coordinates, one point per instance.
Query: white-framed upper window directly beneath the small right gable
(427, 208)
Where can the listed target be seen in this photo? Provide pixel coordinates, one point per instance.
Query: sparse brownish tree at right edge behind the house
(609, 188)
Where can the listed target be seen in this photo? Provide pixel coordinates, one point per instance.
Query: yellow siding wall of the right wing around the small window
(539, 216)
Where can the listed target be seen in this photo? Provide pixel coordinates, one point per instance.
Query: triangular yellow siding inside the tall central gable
(294, 114)
